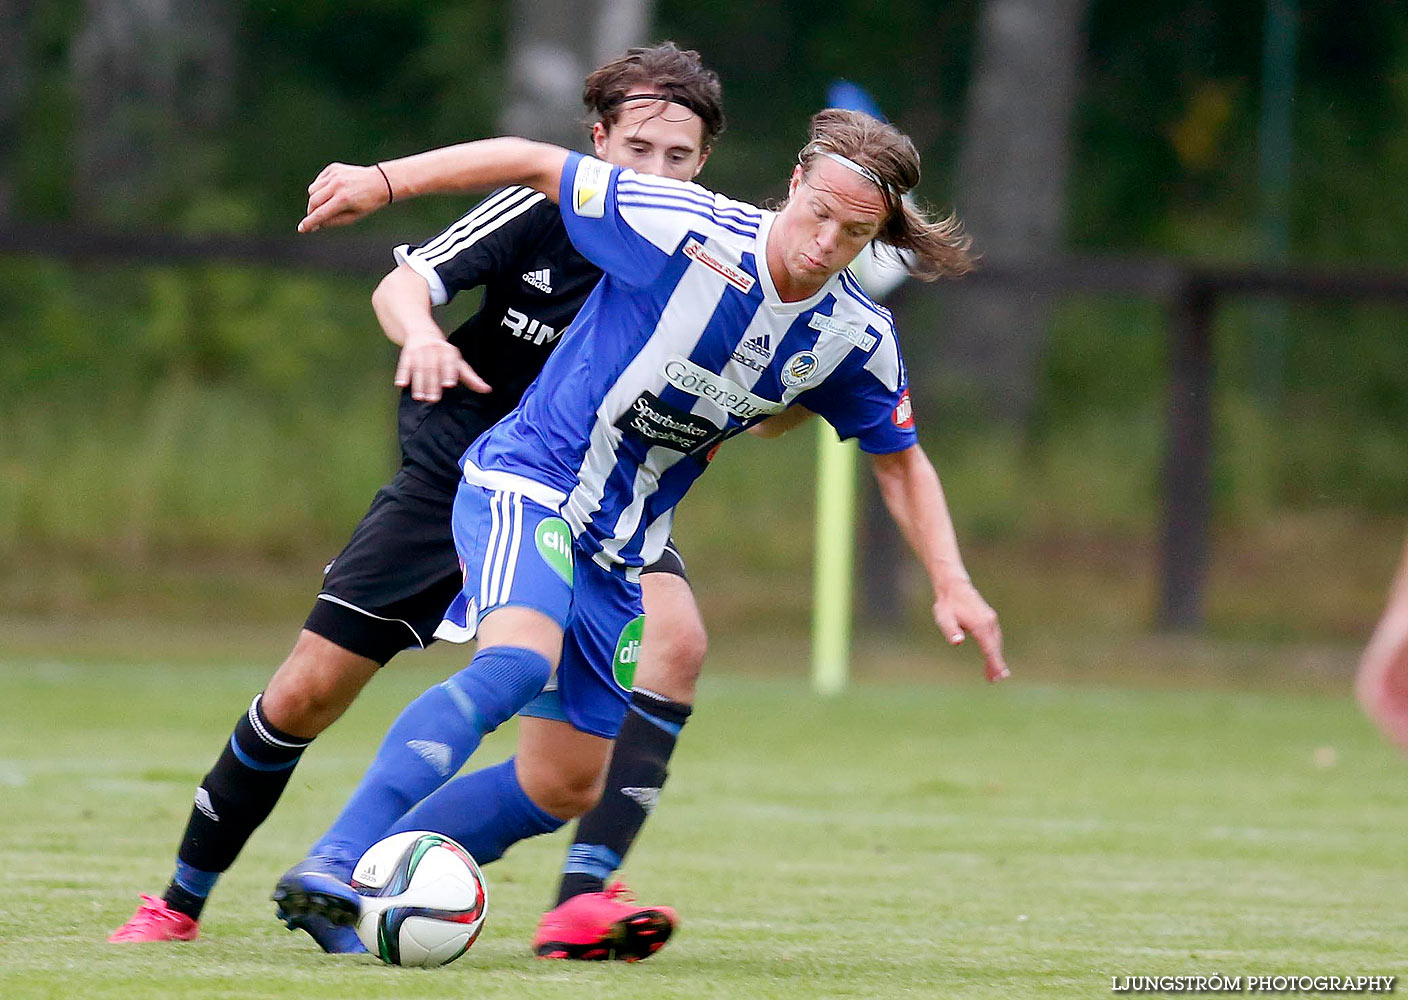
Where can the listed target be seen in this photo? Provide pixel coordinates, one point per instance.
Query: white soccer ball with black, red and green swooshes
(427, 899)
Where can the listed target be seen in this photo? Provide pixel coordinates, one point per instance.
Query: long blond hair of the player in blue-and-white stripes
(937, 247)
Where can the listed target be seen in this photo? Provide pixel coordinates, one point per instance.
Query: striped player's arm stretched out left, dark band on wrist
(344, 194)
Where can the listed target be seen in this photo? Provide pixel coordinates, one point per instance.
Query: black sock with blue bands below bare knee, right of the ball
(634, 781)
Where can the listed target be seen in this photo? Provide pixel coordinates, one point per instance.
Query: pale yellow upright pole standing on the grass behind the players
(836, 557)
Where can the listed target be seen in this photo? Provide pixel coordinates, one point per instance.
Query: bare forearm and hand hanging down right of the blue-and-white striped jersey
(914, 496)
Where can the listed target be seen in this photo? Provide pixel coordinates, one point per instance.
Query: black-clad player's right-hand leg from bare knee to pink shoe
(592, 919)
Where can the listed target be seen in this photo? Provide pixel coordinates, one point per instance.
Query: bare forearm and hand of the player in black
(430, 364)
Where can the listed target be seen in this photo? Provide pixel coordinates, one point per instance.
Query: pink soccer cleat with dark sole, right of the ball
(595, 927)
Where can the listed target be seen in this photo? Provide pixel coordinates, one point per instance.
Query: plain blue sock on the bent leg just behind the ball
(488, 812)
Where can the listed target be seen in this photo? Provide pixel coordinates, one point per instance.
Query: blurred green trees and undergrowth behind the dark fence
(199, 440)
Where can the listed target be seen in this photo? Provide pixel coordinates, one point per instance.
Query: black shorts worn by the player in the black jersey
(399, 574)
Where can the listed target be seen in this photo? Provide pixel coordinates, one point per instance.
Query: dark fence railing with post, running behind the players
(1190, 294)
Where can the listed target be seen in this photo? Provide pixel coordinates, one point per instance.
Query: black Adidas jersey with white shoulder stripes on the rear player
(516, 247)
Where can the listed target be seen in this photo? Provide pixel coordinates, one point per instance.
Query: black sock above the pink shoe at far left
(232, 802)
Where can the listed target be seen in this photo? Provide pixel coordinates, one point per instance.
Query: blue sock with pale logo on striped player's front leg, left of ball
(430, 742)
